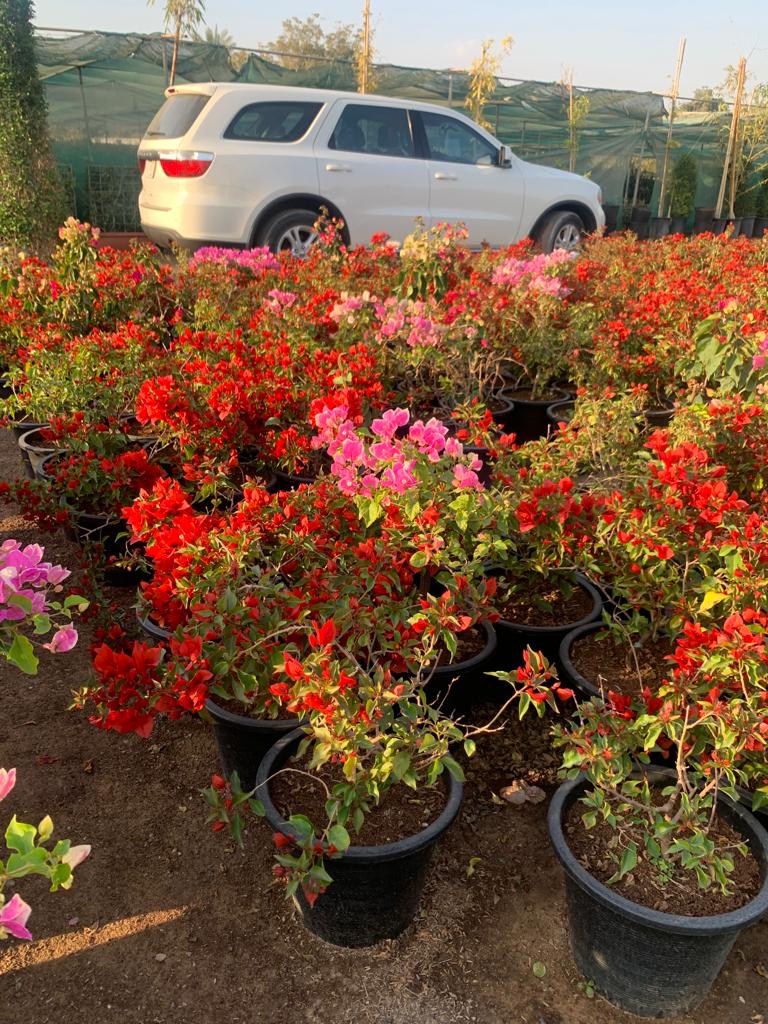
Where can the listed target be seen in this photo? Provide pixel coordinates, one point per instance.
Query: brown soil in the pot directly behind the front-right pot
(620, 667)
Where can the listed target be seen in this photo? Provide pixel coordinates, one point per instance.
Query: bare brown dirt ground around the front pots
(167, 923)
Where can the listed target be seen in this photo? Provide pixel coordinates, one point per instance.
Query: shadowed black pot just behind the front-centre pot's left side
(243, 742)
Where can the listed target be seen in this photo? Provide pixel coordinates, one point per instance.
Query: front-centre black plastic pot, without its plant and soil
(376, 889)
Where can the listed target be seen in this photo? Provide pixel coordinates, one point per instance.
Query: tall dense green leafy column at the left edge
(32, 202)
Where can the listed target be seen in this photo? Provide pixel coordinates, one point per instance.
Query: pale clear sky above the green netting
(613, 46)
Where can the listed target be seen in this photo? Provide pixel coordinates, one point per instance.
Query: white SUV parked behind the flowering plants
(252, 165)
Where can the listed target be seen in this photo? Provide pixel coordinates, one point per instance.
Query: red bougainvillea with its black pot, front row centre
(357, 799)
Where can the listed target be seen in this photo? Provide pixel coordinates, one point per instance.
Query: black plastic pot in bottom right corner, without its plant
(648, 962)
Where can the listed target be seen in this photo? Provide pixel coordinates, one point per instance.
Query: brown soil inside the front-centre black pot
(403, 812)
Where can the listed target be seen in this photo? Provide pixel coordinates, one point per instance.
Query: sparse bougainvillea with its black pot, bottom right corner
(663, 870)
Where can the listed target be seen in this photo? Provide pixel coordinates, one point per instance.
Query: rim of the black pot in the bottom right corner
(734, 921)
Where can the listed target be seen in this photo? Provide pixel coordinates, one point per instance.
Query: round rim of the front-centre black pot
(360, 855)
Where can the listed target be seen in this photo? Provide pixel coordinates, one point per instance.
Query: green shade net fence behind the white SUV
(104, 90)
